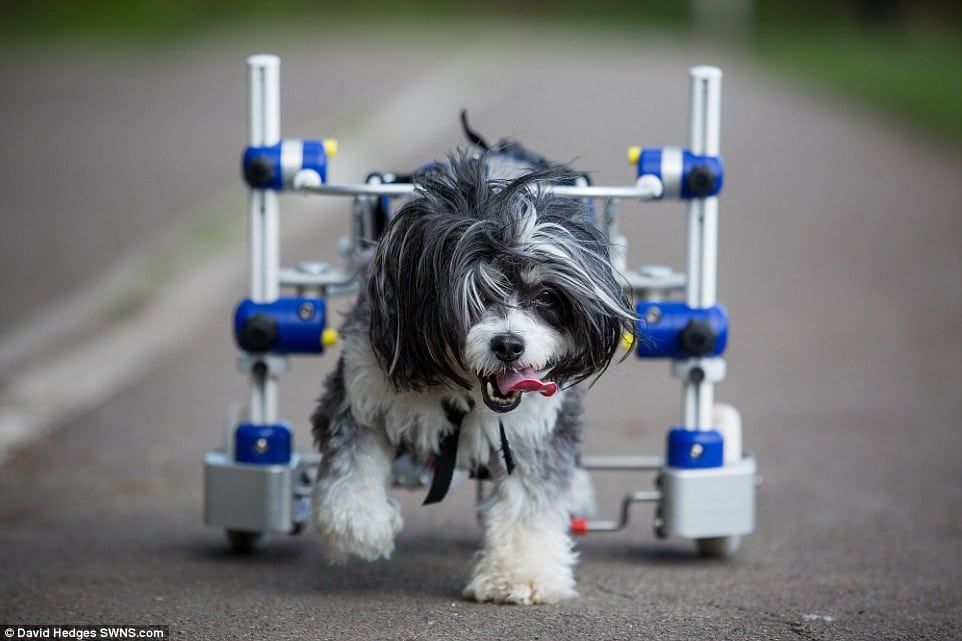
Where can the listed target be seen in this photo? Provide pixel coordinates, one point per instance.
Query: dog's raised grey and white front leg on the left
(352, 512)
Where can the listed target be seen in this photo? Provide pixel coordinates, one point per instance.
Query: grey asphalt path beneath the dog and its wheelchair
(839, 261)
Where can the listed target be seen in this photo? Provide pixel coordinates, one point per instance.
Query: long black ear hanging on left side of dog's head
(415, 330)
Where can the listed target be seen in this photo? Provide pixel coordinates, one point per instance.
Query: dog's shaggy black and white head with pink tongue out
(494, 282)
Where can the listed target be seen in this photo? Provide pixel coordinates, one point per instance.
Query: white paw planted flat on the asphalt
(519, 586)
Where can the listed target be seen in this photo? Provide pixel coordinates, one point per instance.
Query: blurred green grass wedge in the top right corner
(898, 56)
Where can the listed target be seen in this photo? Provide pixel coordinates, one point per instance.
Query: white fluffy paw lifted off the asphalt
(362, 526)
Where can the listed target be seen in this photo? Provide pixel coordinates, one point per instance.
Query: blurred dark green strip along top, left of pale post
(161, 20)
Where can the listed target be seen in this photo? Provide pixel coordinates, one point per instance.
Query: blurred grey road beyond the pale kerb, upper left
(106, 151)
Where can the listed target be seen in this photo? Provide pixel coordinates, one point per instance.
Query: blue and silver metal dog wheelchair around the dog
(258, 483)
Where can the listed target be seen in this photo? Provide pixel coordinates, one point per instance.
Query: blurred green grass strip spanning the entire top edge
(897, 55)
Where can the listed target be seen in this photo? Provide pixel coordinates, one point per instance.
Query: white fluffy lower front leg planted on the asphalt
(527, 555)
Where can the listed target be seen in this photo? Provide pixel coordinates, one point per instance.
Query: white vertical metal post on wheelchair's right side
(702, 250)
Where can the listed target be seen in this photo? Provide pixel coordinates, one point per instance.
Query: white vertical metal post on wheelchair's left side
(264, 101)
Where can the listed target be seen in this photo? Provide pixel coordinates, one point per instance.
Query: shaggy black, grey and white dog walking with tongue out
(486, 302)
